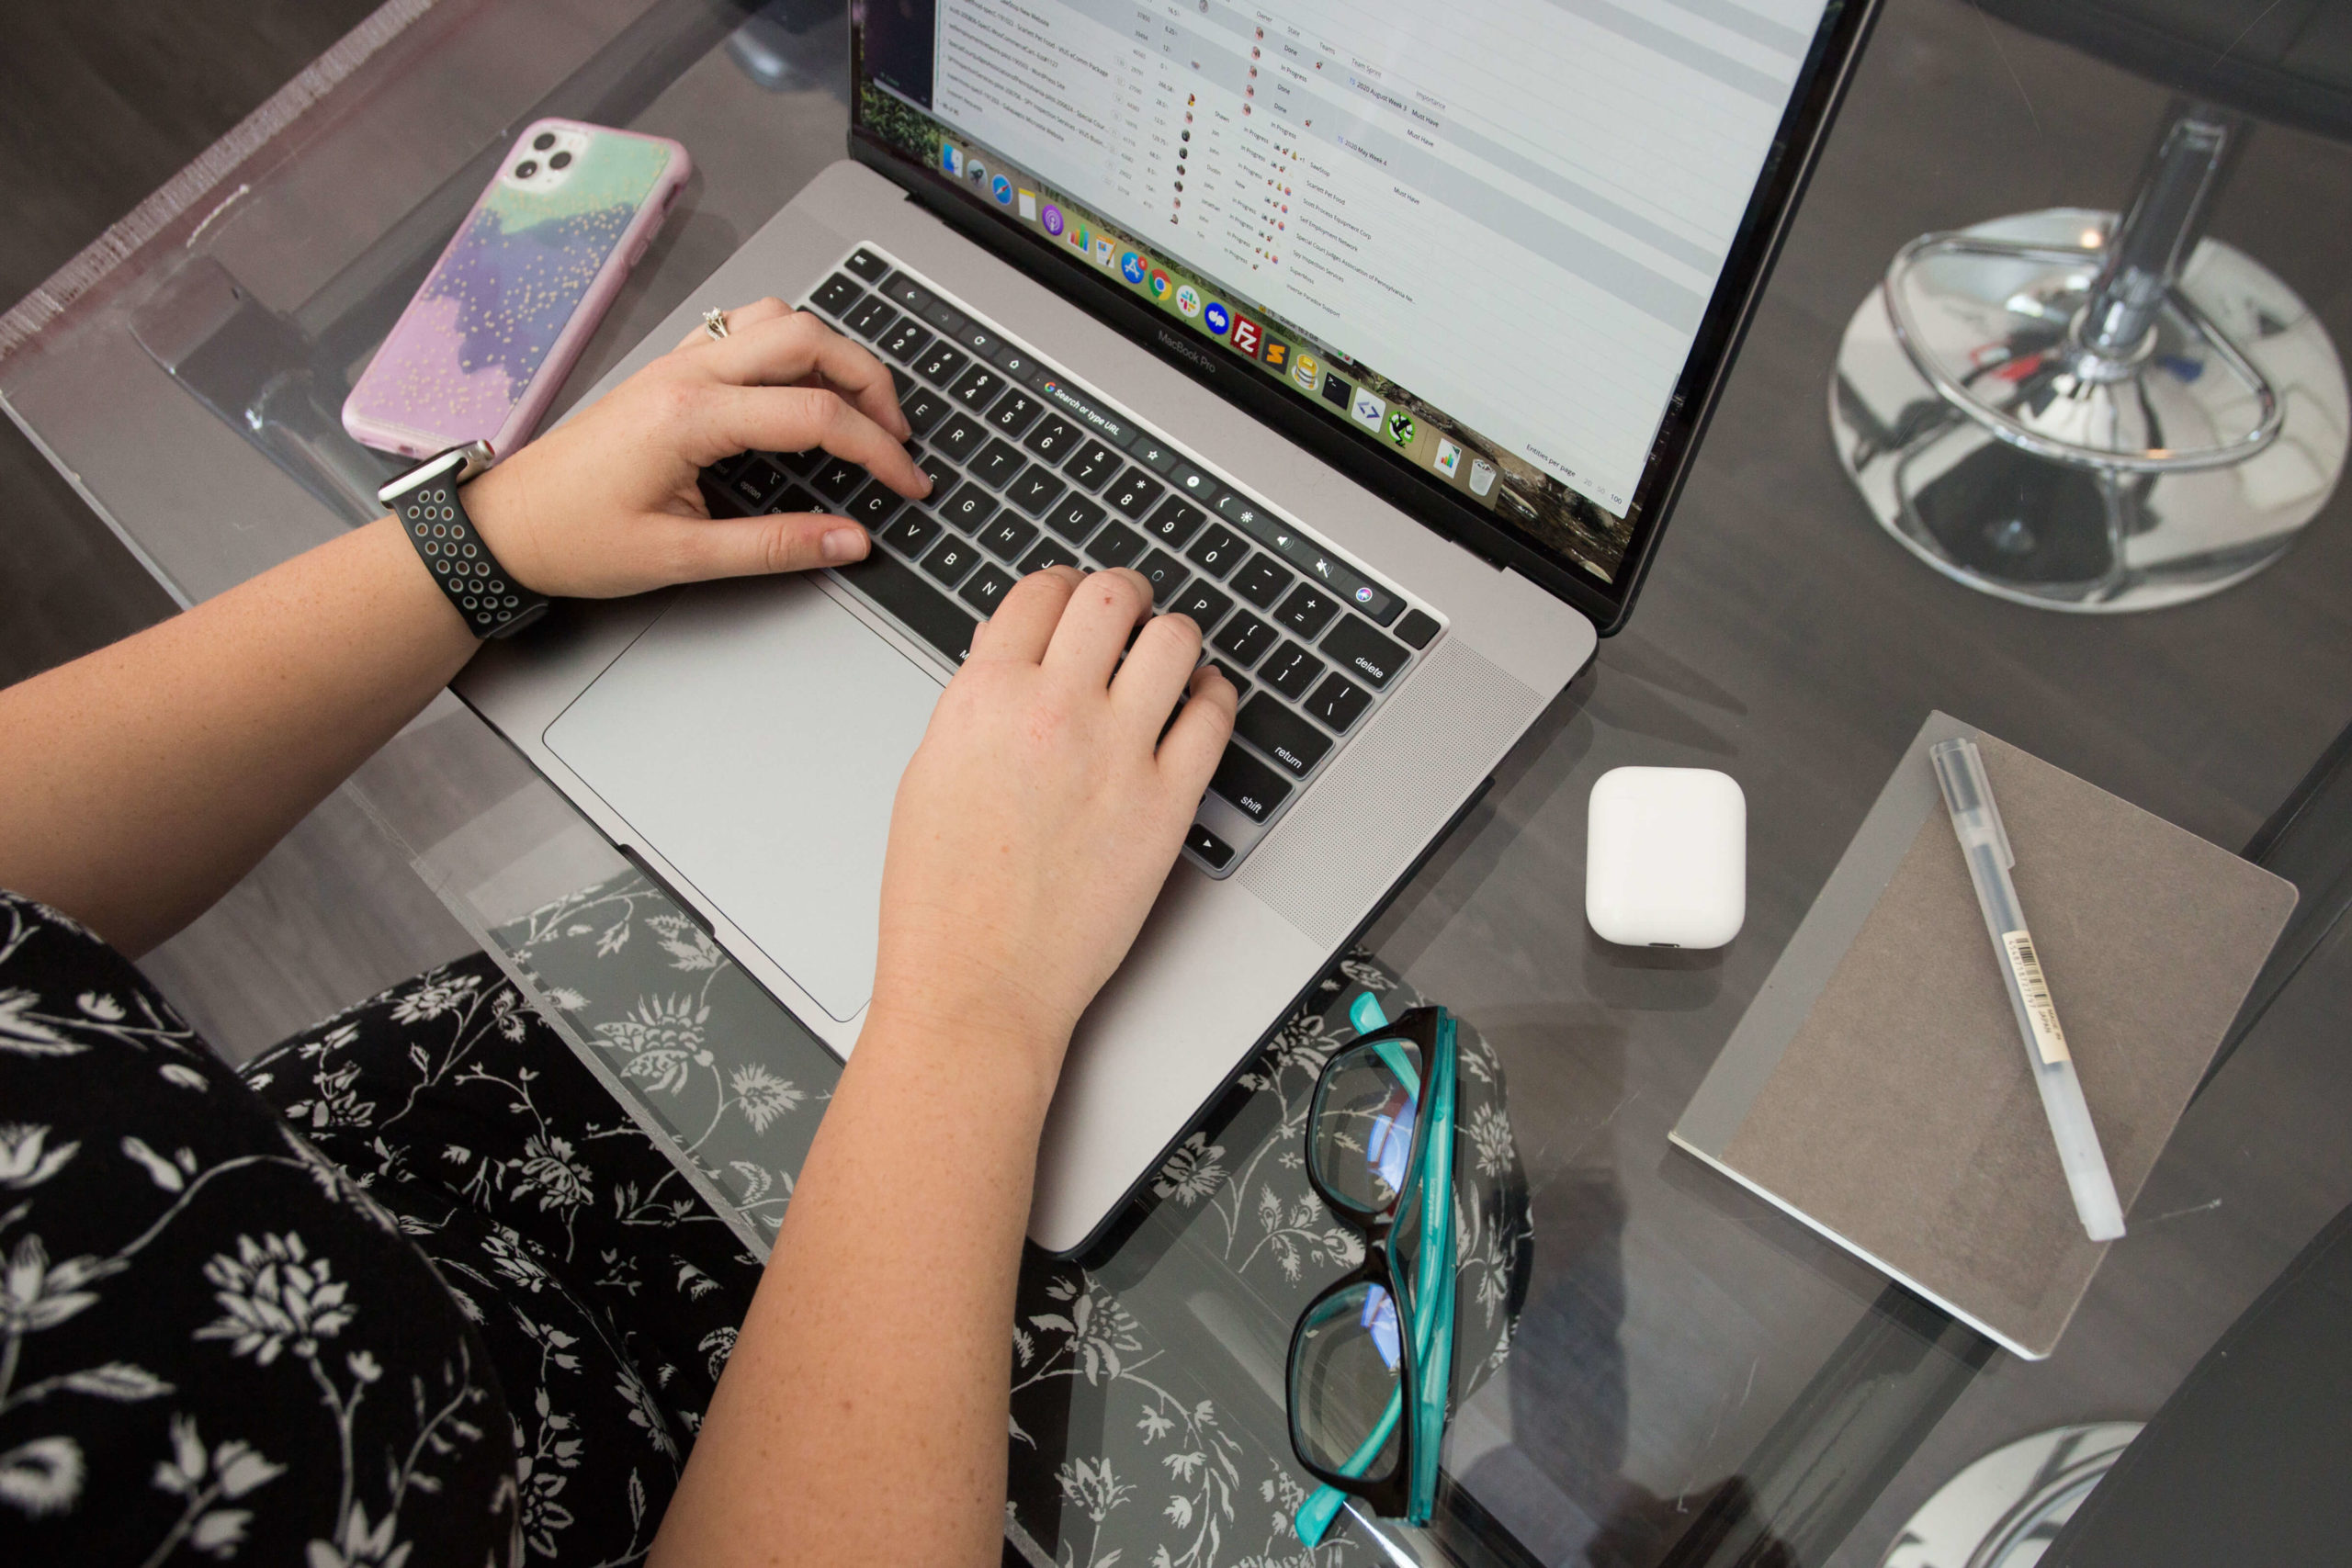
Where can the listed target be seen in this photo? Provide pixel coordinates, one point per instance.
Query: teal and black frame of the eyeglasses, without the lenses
(1422, 1287)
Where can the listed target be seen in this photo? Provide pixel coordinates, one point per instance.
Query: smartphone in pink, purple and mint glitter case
(490, 337)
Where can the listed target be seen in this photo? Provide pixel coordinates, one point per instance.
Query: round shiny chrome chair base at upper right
(1951, 476)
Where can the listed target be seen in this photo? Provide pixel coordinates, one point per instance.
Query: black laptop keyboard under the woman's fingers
(1031, 471)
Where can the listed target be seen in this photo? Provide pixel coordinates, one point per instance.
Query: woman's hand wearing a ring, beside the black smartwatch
(606, 504)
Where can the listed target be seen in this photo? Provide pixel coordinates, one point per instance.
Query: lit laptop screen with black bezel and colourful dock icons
(1495, 243)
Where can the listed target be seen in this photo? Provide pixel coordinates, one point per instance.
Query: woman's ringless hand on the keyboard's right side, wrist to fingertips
(1043, 812)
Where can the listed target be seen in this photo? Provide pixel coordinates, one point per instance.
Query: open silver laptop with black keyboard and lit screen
(1377, 337)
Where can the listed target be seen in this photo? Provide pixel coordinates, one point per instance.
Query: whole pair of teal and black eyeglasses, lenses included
(1372, 1358)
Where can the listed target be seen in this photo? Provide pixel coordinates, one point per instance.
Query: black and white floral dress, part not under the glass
(410, 1289)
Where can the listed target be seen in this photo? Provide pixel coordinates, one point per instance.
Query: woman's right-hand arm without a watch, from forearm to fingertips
(862, 1416)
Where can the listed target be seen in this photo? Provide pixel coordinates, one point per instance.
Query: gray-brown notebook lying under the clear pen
(1878, 1087)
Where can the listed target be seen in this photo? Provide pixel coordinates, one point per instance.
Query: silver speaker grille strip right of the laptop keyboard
(1398, 784)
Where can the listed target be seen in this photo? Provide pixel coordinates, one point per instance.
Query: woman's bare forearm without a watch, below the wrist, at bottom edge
(864, 1407)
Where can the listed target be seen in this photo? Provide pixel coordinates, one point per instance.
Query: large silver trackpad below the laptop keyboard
(754, 739)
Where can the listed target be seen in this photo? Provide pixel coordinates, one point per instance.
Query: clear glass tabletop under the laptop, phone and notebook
(1676, 1369)
